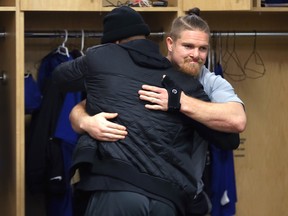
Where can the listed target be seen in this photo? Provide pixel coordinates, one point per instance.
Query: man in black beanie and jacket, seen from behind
(148, 172)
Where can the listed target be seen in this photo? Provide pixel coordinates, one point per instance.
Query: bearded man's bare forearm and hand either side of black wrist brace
(227, 116)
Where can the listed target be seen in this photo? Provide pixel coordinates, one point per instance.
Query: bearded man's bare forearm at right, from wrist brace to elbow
(227, 117)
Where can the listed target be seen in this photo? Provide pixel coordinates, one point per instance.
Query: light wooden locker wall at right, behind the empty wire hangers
(261, 161)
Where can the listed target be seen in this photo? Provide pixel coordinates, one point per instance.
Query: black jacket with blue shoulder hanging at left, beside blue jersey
(43, 153)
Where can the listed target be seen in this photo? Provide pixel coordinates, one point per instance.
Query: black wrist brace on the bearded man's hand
(174, 93)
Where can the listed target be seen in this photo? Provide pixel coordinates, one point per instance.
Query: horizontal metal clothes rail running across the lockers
(93, 34)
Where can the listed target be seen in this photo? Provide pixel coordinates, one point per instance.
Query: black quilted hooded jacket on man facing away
(159, 145)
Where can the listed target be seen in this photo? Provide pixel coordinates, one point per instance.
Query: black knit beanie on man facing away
(123, 22)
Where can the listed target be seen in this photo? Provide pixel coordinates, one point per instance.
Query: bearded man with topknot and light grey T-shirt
(187, 50)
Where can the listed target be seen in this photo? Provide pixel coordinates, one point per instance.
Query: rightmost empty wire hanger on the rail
(254, 66)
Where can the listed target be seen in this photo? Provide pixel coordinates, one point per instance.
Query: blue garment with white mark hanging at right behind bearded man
(223, 183)
